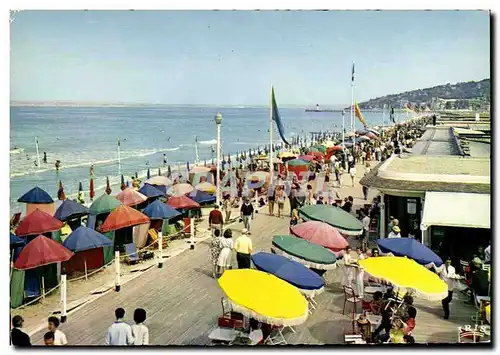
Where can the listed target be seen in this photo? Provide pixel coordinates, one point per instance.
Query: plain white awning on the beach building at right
(455, 209)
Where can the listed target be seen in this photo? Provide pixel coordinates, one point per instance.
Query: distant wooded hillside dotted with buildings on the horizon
(478, 91)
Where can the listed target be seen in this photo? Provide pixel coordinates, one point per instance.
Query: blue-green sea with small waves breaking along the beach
(82, 136)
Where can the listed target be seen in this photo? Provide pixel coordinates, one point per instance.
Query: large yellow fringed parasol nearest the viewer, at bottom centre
(264, 297)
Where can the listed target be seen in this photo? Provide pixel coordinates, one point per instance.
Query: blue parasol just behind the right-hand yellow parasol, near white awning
(411, 248)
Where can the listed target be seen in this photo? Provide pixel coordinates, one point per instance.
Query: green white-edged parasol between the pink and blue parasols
(304, 252)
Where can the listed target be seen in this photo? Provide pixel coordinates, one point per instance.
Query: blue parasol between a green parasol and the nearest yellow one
(308, 282)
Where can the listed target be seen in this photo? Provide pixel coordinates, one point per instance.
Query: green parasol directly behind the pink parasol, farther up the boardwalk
(343, 221)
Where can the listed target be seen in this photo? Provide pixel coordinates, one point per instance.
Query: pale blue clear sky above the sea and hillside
(233, 57)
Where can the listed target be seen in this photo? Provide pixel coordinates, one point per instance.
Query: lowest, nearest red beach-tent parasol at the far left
(41, 251)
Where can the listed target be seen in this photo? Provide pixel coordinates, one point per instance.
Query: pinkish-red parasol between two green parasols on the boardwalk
(320, 233)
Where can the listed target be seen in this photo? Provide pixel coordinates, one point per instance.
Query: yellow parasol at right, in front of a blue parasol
(406, 273)
